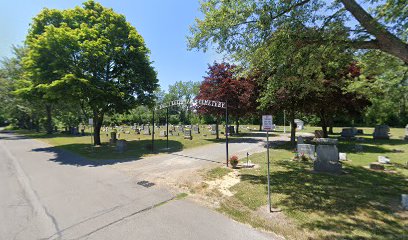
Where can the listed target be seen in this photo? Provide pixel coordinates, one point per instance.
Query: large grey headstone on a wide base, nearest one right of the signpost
(327, 156)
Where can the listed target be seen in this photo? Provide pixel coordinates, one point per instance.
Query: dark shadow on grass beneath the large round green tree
(87, 155)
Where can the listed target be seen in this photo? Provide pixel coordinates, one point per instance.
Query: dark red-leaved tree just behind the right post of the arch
(223, 84)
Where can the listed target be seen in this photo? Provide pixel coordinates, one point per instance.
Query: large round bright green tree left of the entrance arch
(92, 56)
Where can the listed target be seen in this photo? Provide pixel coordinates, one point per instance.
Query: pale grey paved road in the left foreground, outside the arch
(45, 195)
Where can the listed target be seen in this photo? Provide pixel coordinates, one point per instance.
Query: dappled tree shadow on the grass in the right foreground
(339, 200)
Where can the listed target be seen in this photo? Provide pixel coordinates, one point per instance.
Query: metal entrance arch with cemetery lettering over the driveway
(194, 102)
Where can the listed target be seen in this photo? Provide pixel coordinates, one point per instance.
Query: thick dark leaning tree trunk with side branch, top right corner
(385, 40)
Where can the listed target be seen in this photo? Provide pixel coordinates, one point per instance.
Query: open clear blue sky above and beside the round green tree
(163, 24)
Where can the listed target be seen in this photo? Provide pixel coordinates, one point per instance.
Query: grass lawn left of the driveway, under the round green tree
(138, 144)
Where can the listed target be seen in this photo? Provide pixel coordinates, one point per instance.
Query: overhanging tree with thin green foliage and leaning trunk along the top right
(241, 26)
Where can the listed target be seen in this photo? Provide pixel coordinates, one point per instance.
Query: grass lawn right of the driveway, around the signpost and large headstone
(360, 204)
